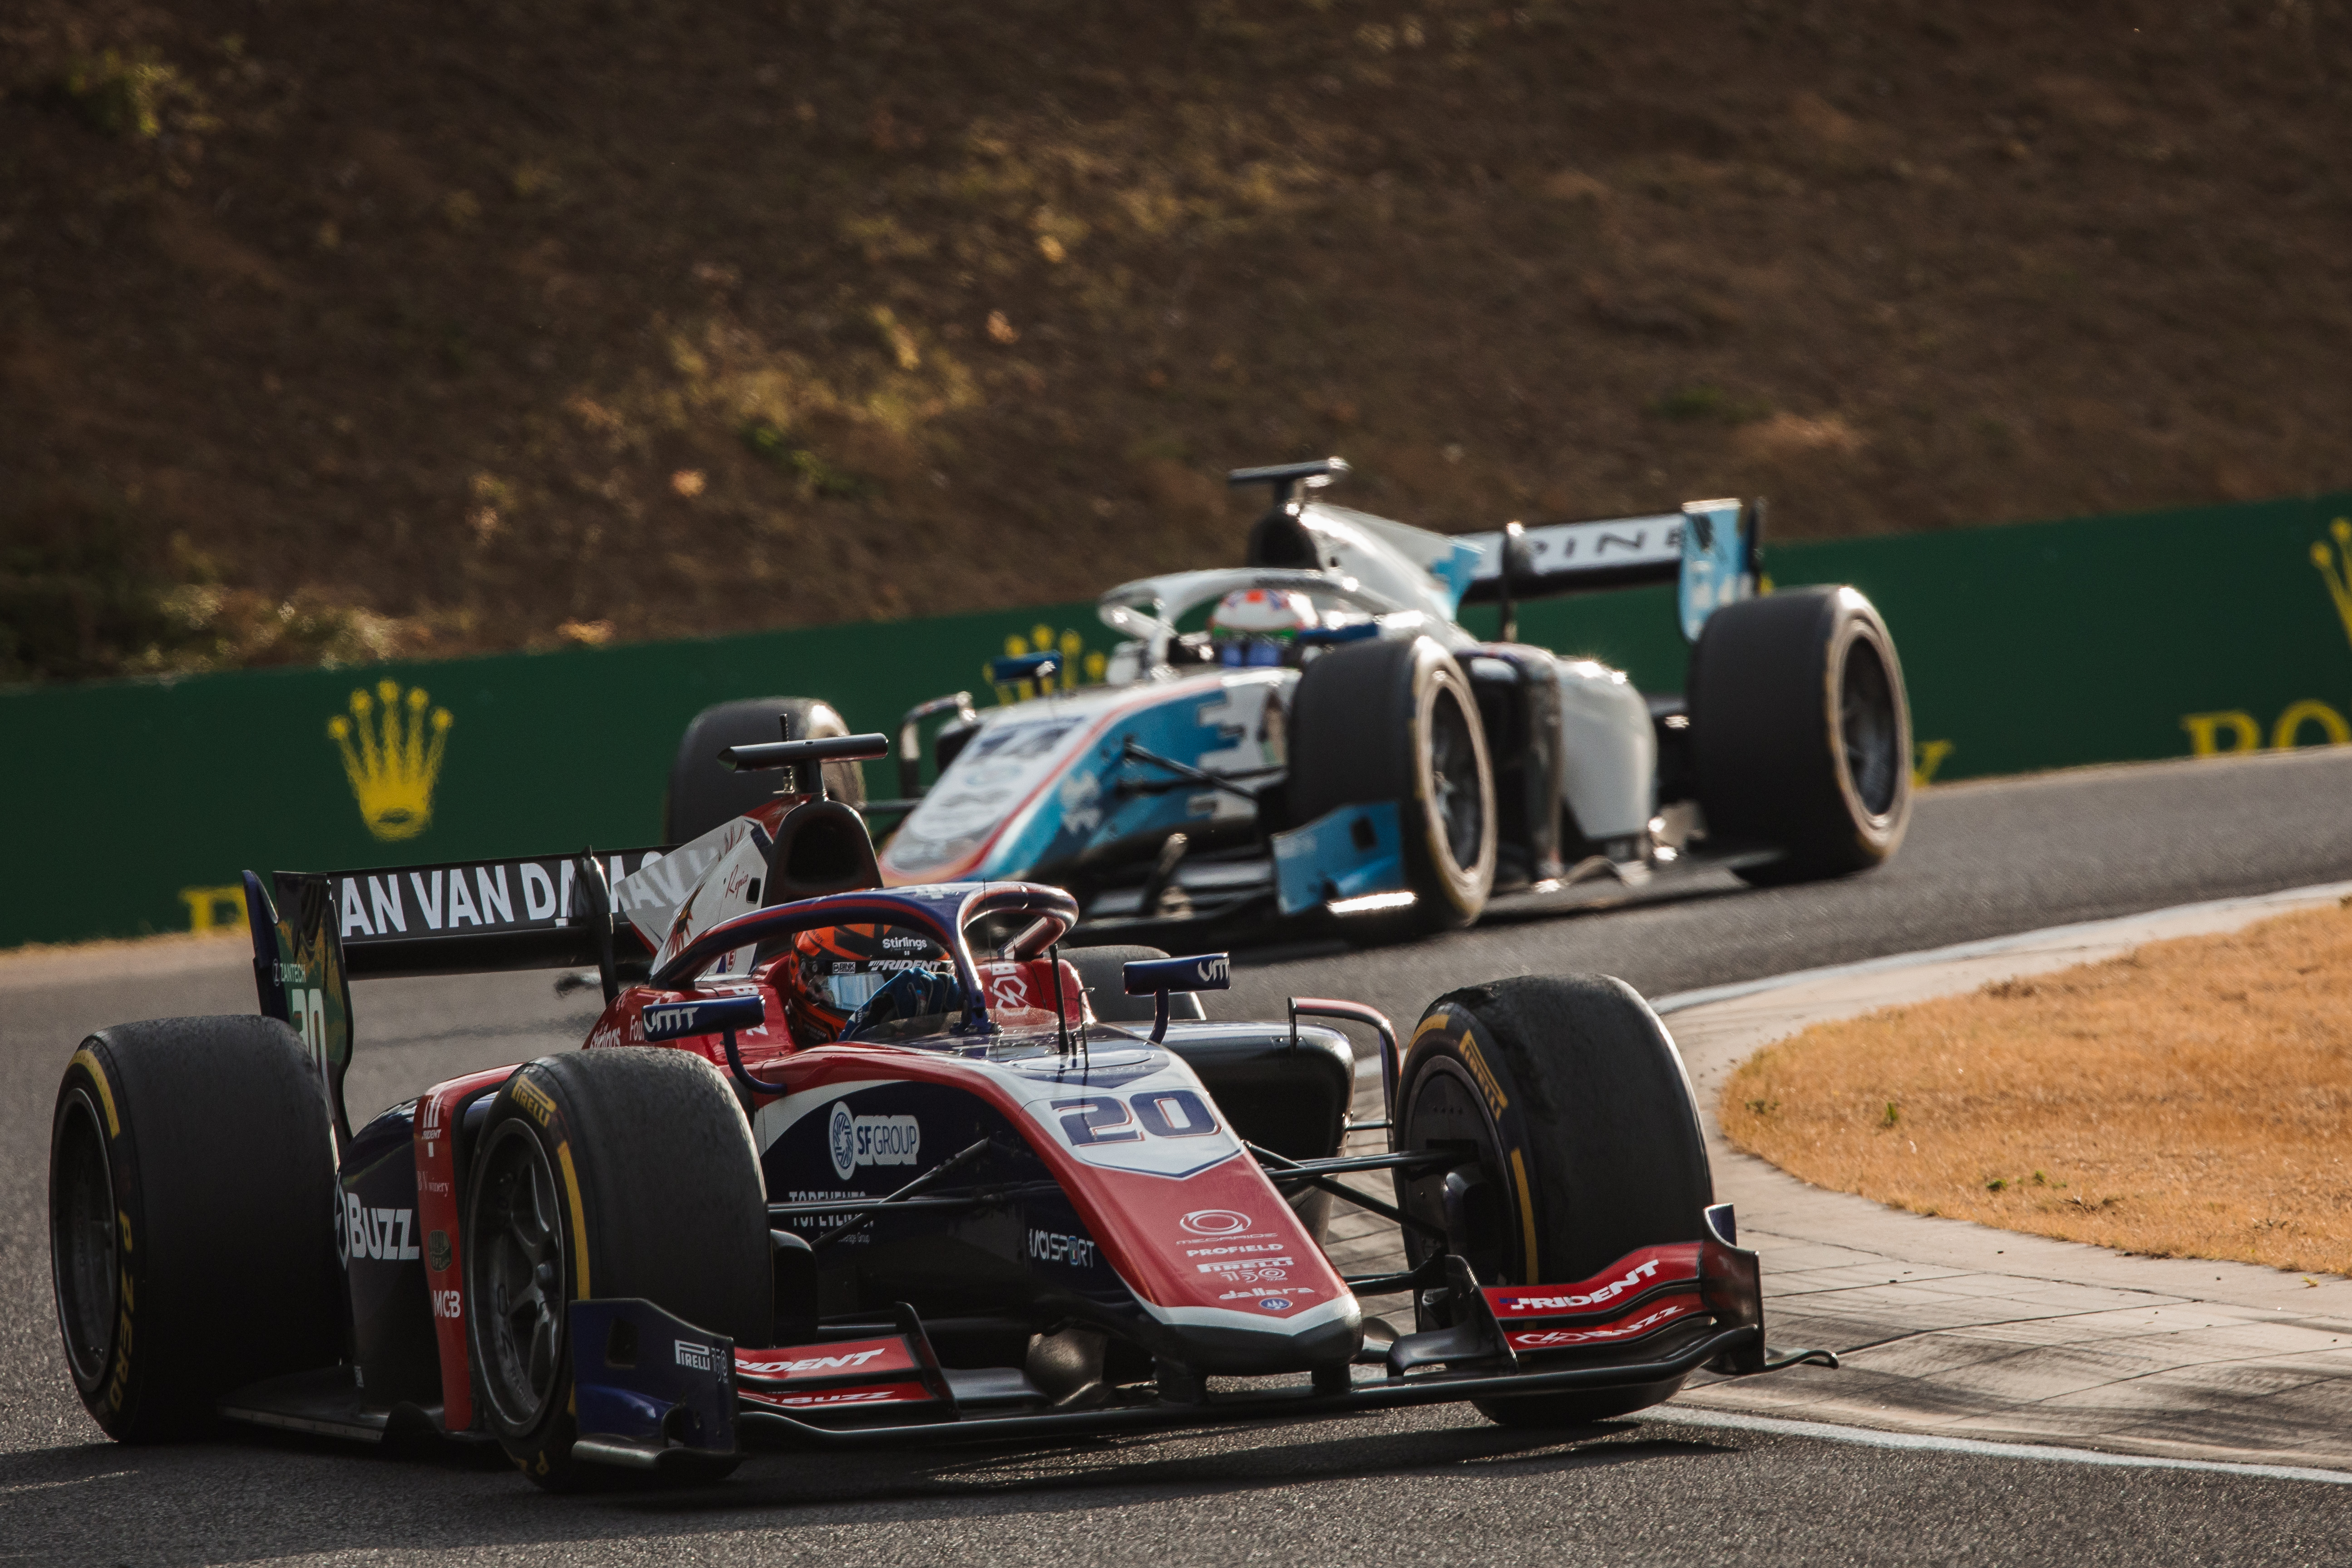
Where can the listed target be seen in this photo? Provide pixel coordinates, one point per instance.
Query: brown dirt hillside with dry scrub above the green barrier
(417, 328)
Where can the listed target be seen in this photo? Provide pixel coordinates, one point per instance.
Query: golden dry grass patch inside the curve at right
(2191, 1099)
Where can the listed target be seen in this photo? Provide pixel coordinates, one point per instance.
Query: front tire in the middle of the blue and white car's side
(1396, 723)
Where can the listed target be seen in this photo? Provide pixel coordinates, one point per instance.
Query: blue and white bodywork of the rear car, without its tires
(1074, 786)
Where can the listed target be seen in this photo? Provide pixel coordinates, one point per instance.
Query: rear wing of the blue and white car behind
(1709, 549)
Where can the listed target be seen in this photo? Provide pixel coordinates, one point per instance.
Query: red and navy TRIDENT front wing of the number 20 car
(1648, 1322)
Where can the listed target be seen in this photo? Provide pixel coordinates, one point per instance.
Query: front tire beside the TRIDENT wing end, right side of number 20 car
(1586, 1144)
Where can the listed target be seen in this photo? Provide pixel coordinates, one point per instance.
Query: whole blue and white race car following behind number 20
(1337, 744)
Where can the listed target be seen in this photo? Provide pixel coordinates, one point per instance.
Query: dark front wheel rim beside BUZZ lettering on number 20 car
(516, 1266)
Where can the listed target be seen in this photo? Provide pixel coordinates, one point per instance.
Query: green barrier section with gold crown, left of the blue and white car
(135, 805)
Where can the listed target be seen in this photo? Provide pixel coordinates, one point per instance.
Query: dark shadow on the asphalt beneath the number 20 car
(255, 1496)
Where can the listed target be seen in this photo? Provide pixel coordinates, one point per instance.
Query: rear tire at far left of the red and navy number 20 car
(192, 1219)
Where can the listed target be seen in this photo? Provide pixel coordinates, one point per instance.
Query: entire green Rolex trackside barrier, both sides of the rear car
(135, 805)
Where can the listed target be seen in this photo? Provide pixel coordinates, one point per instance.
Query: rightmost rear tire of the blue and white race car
(1800, 735)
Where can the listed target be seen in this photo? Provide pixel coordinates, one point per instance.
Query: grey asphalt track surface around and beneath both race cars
(1403, 1487)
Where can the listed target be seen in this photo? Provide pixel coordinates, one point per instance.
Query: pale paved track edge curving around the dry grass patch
(1970, 1334)
